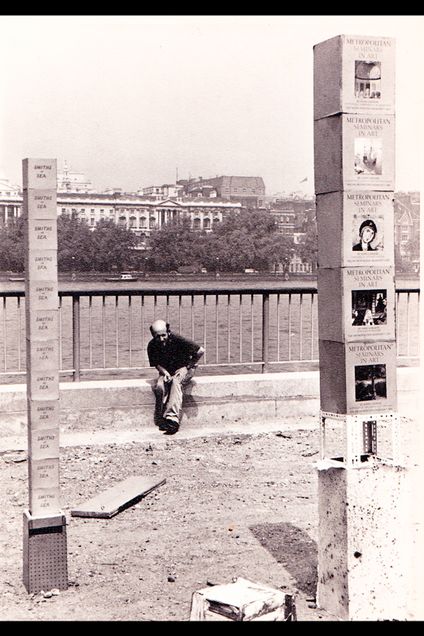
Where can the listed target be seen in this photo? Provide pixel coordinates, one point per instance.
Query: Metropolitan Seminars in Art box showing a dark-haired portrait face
(342, 218)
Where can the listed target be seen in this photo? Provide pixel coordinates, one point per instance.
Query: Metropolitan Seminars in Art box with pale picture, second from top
(354, 153)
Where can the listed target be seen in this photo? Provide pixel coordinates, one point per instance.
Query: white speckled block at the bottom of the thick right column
(361, 552)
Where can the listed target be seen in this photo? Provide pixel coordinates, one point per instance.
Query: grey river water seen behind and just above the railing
(115, 331)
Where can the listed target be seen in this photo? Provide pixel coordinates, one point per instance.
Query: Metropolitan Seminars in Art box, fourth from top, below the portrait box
(356, 304)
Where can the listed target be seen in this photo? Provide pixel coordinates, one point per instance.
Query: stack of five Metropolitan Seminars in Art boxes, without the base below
(354, 141)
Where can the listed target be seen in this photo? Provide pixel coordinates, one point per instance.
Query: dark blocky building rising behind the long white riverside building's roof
(249, 191)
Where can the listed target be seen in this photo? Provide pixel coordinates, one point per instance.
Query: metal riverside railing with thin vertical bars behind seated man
(106, 331)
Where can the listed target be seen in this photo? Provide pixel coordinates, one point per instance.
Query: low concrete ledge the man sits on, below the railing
(128, 404)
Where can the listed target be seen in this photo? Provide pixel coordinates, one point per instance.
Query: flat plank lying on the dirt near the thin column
(115, 499)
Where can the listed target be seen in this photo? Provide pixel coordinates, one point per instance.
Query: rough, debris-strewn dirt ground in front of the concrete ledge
(232, 505)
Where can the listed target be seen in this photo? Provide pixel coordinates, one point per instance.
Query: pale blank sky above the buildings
(129, 100)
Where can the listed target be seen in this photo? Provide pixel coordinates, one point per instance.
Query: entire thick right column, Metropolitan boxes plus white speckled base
(354, 147)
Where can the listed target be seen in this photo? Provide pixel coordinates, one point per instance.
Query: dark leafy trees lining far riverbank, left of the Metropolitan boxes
(242, 240)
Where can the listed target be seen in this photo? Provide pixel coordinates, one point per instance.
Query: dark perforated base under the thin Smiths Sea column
(45, 565)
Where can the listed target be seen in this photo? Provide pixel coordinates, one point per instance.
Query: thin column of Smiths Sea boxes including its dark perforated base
(45, 562)
